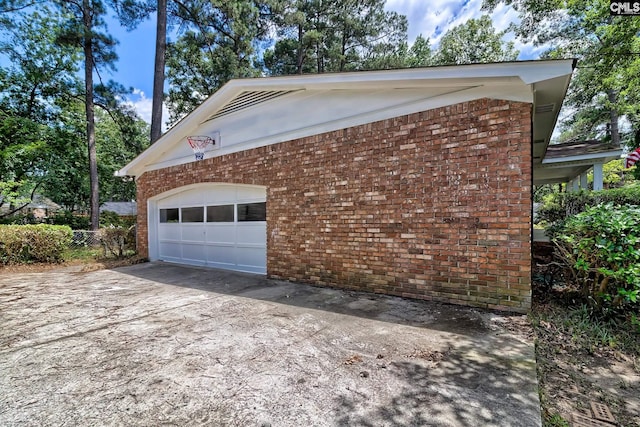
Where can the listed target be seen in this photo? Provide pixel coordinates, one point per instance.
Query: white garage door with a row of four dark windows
(221, 226)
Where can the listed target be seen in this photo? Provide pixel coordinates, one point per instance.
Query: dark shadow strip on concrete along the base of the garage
(431, 315)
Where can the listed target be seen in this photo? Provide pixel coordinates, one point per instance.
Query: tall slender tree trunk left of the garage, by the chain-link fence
(89, 110)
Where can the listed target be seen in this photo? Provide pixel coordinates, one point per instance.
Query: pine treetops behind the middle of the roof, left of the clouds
(330, 36)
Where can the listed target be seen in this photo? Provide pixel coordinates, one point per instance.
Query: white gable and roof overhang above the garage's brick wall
(250, 113)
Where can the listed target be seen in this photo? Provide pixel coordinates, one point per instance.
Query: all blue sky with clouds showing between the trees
(429, 18)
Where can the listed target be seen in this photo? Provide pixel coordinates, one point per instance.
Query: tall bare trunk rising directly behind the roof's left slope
(158, 71)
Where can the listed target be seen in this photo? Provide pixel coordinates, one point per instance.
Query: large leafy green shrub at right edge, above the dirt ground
(601, 246)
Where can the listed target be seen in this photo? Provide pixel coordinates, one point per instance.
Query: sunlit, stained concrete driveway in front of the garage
(161, 344)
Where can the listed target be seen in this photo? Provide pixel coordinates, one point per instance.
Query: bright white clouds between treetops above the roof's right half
(432, 19)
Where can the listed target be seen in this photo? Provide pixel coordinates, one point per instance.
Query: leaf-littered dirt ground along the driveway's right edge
(580, 360)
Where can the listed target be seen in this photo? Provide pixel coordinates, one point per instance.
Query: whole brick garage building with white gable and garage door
(415, 183)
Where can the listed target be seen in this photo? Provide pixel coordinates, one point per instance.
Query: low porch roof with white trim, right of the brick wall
(564, 162)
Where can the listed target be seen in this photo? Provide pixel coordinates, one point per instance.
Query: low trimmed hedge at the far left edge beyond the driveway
(33, 243)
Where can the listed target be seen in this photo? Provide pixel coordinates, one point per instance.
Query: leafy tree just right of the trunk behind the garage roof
(219, 43)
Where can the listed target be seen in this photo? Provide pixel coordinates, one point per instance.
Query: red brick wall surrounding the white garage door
(433, 205)
